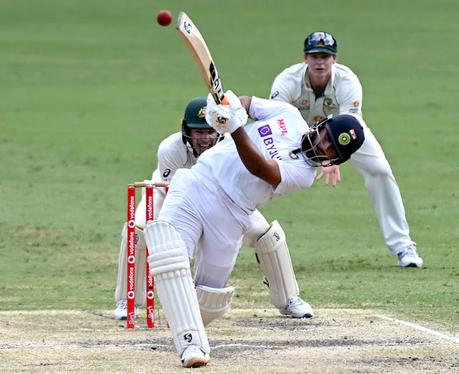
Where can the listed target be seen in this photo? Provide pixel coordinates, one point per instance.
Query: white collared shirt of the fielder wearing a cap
(343, 94)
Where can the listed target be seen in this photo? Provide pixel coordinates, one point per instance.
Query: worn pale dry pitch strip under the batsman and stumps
(245, 341)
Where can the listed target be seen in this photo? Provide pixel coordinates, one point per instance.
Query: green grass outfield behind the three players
(88, 89)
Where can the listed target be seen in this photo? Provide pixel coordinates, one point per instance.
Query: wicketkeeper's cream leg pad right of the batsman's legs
(276, 264)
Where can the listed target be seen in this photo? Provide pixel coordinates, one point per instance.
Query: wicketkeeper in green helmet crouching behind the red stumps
(181, 150)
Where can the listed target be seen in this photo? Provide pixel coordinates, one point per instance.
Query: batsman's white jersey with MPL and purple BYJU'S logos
(276, 133)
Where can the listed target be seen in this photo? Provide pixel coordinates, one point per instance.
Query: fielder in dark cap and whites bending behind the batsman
(319, 87)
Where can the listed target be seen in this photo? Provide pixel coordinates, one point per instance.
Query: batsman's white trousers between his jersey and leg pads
(209, 222)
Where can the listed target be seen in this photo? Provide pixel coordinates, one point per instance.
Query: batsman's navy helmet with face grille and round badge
(345, 133)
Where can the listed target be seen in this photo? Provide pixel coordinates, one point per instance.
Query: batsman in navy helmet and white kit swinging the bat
(208, 208)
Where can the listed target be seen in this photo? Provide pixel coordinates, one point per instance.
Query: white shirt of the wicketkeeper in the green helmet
(173, 154)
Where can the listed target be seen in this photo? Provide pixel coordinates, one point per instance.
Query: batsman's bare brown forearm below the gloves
(253, 160)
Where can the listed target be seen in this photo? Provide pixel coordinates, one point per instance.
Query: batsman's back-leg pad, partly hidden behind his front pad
(213, 302)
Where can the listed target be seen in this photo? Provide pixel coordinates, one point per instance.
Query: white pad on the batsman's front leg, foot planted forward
(170, 267)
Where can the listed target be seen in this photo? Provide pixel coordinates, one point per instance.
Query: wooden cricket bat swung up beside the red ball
(198, 47)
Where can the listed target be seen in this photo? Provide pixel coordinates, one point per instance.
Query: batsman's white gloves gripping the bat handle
(226, 118)
